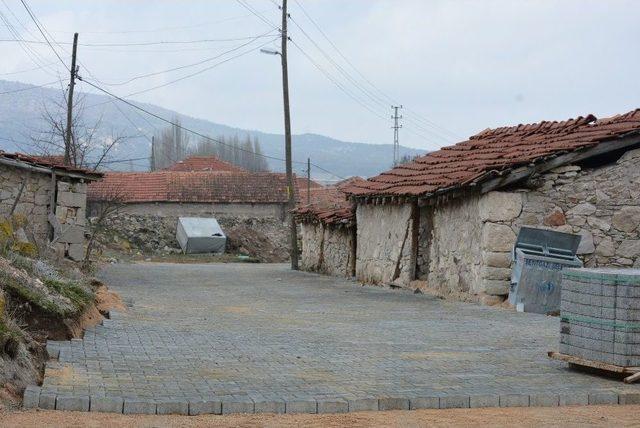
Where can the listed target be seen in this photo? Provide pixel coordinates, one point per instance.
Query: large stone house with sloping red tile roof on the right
(448, 220)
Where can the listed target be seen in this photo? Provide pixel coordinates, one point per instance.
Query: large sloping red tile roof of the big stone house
(493, 151)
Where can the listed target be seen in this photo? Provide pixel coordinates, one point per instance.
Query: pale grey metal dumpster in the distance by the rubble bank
(200, 235)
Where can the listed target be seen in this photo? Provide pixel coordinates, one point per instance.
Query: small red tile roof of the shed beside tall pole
(329, 205)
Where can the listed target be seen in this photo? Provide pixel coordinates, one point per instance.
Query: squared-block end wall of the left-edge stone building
(71, 206)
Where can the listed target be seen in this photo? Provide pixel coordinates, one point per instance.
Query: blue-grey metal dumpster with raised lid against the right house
(540, 255)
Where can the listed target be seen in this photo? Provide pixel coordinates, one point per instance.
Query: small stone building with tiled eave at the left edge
(51, 196)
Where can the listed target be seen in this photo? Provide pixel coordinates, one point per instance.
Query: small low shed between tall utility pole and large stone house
(327, 232)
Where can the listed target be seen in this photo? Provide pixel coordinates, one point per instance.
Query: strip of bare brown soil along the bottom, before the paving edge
(579, 416)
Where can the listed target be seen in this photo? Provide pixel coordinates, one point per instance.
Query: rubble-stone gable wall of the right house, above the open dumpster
(601, 204)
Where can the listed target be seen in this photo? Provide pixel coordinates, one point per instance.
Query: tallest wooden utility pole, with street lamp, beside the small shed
(287, 140)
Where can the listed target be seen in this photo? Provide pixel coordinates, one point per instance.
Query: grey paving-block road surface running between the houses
(260, 338)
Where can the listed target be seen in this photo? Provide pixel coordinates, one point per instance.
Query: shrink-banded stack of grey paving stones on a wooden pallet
(600, 315)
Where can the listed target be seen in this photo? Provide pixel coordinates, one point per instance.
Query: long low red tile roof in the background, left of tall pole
(198, 186)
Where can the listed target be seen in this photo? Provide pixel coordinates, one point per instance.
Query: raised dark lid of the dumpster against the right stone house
(547, 242)
